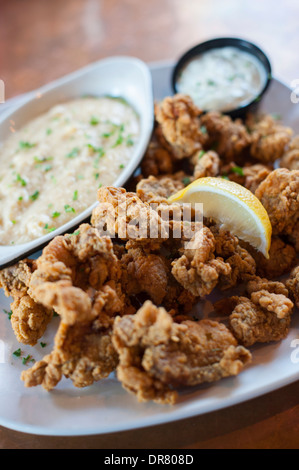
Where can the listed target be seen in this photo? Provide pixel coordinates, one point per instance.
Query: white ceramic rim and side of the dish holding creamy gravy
(127, 77)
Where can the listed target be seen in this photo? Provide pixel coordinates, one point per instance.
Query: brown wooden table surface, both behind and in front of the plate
(42, 40)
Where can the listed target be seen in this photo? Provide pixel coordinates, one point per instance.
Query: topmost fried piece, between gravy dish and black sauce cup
(179, 128)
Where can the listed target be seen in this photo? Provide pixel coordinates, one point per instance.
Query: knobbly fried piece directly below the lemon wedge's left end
(197, 270)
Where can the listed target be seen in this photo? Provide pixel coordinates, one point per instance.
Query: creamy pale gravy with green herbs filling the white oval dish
(50, 169)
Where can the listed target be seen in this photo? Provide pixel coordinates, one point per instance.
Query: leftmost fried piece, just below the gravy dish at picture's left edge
(29, 318)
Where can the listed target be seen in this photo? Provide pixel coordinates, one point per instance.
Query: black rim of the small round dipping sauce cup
(240, 43)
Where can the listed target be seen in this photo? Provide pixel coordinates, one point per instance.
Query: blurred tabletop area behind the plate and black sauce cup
(41, 40)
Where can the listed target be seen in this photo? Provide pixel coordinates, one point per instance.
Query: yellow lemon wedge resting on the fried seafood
(233, 206)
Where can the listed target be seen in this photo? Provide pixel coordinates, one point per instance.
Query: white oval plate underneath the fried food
(105, 407)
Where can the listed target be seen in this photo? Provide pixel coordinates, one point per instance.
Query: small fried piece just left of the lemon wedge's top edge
(157, 191)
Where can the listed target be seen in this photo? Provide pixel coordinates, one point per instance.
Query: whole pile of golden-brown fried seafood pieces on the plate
(126, 303)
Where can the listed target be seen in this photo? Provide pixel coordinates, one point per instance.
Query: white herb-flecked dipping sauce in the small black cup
(222, 79)
